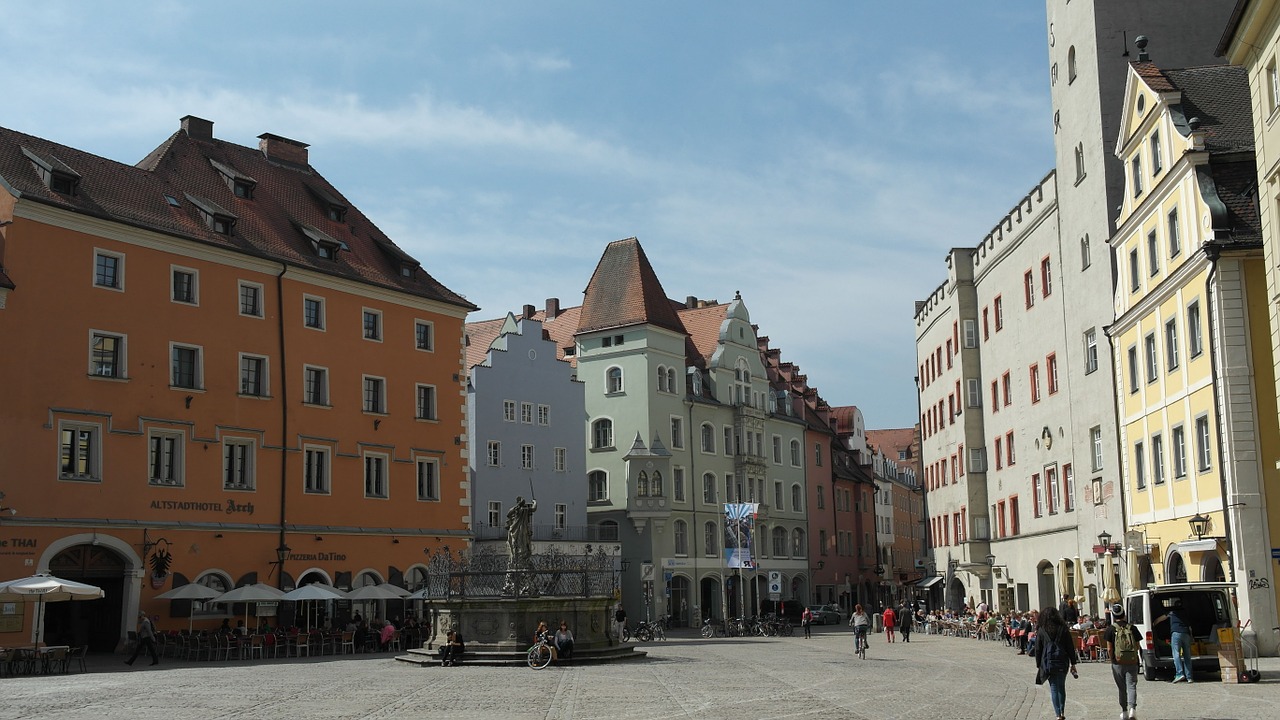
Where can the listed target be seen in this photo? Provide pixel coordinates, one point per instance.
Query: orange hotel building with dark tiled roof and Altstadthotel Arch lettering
(211, 358)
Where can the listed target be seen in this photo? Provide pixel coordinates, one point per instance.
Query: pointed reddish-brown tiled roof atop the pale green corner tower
(625, 291)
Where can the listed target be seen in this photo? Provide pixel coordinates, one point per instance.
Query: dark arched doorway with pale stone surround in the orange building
(94, 623)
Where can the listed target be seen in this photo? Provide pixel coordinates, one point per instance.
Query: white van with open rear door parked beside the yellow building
(1205, 607)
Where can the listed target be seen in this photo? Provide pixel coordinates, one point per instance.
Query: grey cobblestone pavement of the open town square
(687, 677)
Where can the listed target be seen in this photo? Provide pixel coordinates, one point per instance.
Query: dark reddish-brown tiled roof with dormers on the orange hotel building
(193, 168)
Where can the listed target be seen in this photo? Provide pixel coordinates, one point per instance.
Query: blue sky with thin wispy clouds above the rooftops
(821, 158)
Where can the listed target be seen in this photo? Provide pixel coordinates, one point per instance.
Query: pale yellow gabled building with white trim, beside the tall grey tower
(1190, 340)
